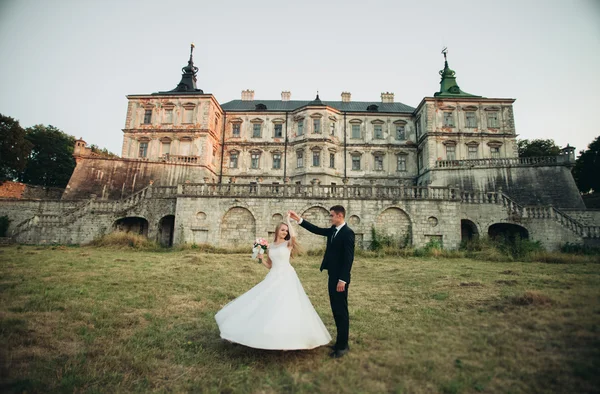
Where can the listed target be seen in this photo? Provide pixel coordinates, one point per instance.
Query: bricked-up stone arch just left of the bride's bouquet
(238, 227)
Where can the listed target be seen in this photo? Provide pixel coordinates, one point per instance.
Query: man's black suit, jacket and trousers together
(338, 259)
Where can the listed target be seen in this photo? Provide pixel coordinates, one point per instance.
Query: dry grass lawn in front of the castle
(107, 320)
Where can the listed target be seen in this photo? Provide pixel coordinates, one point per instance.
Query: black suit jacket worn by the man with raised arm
(339, 253)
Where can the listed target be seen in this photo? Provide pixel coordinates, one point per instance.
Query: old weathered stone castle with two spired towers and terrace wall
(193, 170)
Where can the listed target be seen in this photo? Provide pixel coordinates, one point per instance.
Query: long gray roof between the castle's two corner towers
(352, 106)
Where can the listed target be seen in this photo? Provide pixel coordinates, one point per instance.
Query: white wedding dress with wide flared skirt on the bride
(276, 313)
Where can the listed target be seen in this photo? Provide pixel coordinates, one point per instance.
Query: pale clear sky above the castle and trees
(71, 64)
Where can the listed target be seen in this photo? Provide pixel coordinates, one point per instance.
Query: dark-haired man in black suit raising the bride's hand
(338, 259)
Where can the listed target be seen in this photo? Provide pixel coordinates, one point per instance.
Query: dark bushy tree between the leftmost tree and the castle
(51, 161)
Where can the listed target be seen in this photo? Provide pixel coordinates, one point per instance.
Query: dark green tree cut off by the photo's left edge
(14, 148)
